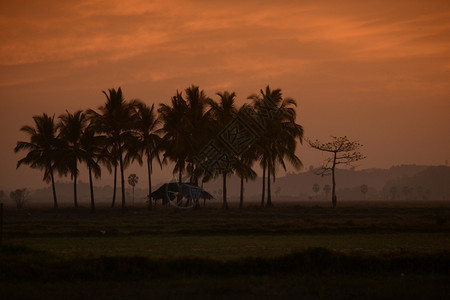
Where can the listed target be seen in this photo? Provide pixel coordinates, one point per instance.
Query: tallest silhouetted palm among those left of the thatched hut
(116, 121)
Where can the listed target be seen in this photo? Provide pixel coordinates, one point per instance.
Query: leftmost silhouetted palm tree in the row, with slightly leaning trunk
(44, 149)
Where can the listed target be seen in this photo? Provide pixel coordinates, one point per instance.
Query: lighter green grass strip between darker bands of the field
(228, 247)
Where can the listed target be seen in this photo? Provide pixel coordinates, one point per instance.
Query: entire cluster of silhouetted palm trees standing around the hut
(203, 137)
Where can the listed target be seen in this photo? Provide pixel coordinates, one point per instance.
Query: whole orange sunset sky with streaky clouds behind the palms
(376, 71)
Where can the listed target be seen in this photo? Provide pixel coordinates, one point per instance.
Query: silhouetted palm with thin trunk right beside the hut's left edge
(149, 141)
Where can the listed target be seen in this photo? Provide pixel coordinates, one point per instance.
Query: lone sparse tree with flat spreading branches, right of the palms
(343, 151)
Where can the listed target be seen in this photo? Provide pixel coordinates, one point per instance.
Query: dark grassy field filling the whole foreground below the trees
(371, 250)
